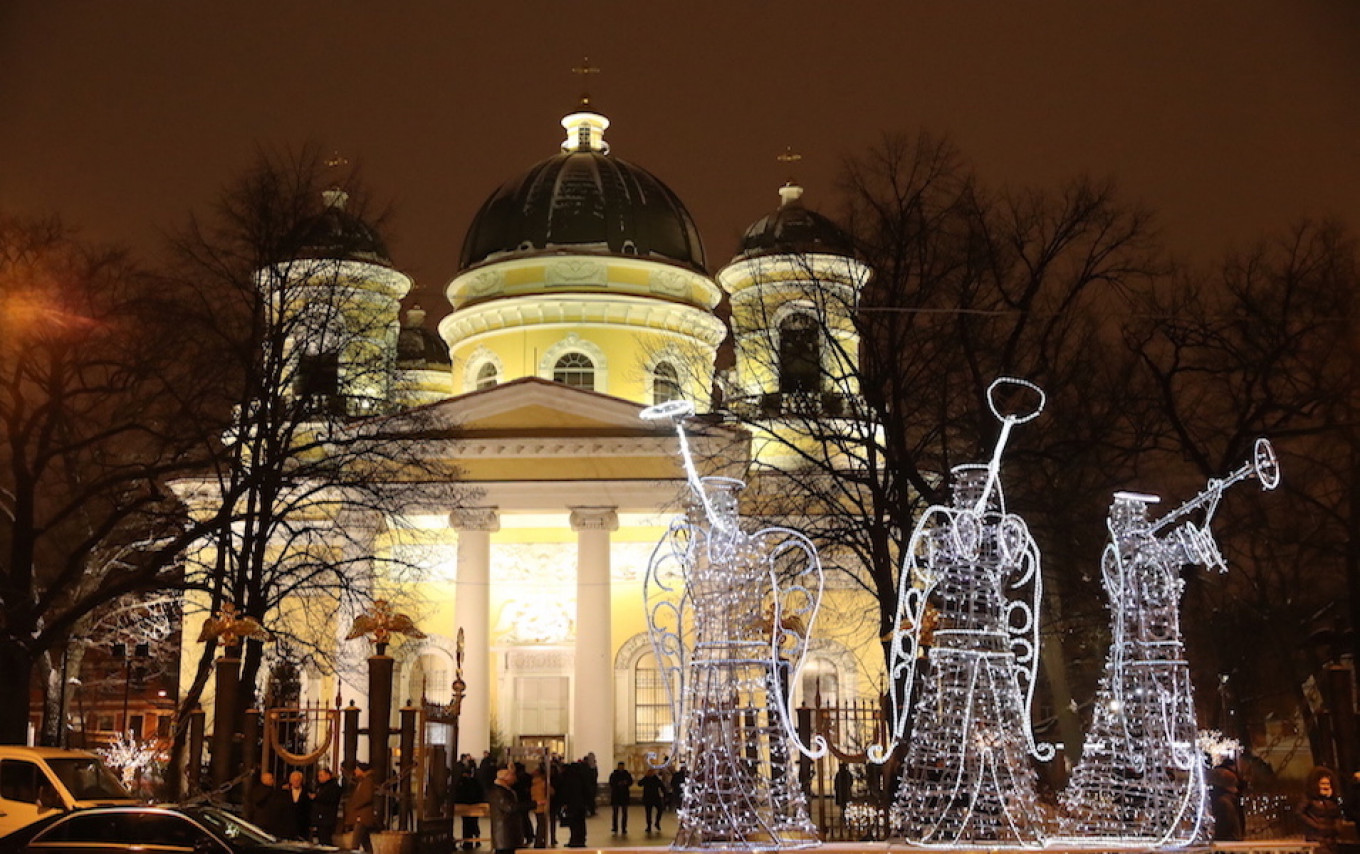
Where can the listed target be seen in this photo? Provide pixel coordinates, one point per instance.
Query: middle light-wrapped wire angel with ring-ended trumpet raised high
(968, 617)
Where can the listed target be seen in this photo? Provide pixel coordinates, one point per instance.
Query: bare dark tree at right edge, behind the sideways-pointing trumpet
(1265, 345)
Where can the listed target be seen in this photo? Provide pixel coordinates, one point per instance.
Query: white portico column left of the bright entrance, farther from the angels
(473, 614)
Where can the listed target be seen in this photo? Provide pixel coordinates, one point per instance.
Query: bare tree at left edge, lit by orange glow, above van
(90, 432)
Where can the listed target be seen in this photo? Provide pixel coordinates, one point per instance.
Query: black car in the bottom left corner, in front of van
(198, 830)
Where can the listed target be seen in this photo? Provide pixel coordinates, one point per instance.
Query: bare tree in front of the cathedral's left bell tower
(296, 307)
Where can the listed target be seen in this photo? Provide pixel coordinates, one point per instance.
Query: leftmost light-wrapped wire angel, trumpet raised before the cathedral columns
(730, 615)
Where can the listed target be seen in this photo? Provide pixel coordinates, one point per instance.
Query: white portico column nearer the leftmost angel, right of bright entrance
(592, 706)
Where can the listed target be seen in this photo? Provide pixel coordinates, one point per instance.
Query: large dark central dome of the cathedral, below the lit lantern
(587, 202)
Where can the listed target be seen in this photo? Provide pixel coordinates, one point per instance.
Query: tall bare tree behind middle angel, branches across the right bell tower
(969, 285)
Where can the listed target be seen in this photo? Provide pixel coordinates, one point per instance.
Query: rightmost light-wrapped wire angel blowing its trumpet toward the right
(1140, 780)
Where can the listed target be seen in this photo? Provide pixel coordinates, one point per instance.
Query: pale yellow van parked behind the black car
(37, 783)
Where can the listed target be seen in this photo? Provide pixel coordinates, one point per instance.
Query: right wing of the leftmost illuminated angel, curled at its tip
(796, 588)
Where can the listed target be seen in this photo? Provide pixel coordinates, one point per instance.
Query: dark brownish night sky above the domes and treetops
(1227, 119)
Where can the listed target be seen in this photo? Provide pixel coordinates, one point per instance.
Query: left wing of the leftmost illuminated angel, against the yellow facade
(670, 624)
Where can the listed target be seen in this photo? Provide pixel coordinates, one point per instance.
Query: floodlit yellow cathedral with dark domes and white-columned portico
(583, 297)
